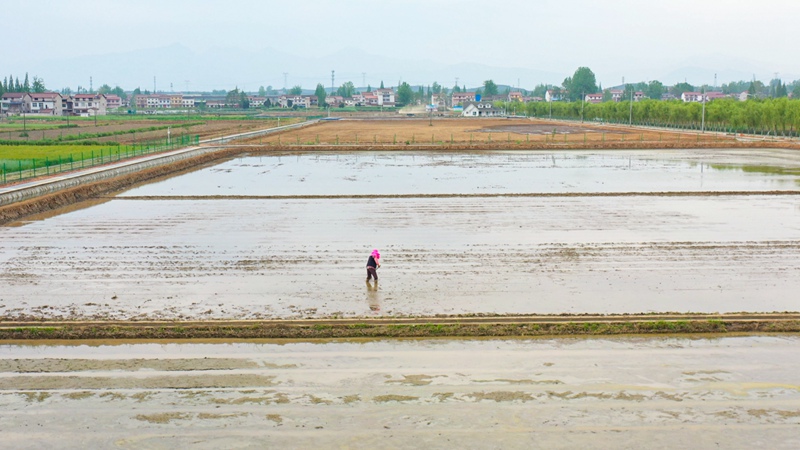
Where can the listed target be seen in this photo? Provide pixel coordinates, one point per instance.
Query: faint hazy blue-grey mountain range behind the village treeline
(178, 68)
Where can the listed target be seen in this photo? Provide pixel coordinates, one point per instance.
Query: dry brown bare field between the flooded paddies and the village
(517, 131)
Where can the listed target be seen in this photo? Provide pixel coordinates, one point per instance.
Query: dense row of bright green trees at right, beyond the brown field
(779, 116)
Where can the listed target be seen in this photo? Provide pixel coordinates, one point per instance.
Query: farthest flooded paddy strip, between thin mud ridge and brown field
(474, 173)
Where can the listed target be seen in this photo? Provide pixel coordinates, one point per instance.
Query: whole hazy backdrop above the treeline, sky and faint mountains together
(204, 44)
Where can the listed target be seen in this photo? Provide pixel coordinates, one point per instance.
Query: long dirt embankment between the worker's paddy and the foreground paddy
(501, 326)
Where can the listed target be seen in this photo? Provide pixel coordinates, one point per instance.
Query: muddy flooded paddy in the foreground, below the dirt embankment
(732, 392)
